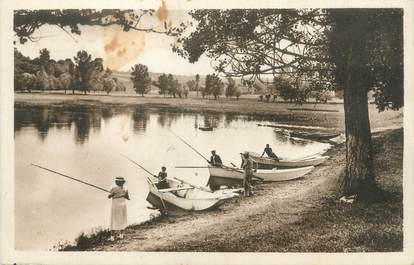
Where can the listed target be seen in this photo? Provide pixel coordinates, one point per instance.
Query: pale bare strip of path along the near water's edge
(275, 204)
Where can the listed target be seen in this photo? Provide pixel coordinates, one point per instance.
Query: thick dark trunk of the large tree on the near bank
(359, 174)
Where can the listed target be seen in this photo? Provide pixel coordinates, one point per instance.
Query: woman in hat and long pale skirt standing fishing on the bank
(119, 195)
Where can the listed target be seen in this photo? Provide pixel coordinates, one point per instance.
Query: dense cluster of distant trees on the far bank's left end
(80, 74)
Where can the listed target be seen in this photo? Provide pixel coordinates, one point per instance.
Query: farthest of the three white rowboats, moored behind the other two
(267, 162)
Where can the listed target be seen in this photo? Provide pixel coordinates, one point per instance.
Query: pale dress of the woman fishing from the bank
(118, 208)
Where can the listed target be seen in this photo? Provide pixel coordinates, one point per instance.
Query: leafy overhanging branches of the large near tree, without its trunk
(253, 43)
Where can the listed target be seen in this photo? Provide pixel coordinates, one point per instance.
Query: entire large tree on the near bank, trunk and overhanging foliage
(356, 50)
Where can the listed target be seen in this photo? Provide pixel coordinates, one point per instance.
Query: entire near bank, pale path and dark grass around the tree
(294, 216)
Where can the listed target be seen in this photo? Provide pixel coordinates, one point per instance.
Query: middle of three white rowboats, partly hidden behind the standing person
(232, 176)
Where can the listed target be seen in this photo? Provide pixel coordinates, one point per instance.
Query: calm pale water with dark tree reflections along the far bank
(86, 143)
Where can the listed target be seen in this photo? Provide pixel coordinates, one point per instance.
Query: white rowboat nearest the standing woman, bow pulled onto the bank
(185, 196)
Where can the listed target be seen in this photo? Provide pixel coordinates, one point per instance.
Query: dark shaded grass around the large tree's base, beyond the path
(332, 226)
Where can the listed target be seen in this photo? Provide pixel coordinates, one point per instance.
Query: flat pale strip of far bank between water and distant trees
(330, 115)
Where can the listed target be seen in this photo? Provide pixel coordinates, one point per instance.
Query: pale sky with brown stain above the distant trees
(120, 50)
